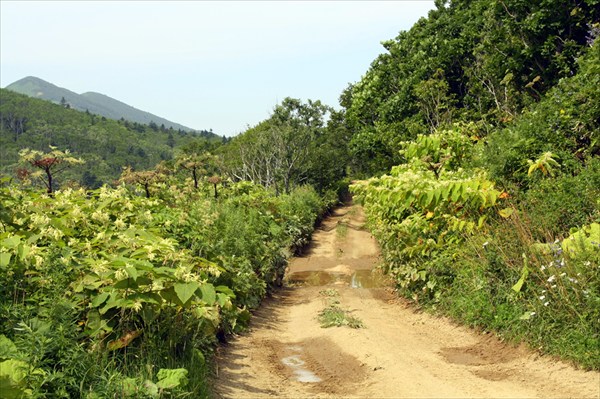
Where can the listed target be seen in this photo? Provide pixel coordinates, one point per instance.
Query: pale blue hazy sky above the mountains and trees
(220, 65)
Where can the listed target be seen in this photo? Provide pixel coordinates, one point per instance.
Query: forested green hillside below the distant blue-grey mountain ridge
(106, 145)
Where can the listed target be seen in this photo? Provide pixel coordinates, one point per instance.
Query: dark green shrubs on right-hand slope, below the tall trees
(565, 122)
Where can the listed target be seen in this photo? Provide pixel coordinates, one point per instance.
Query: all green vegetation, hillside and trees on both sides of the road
(472, 143)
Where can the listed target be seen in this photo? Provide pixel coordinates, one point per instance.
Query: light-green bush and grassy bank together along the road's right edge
(527, 270)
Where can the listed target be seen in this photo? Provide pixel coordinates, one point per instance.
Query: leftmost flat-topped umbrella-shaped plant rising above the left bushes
(50, 164)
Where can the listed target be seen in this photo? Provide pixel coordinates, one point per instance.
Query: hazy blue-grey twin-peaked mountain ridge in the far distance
(95, 103)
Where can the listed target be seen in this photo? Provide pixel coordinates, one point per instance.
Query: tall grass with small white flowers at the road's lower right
(526, 290)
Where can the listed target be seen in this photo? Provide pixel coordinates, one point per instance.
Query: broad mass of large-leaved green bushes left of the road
(105, 290)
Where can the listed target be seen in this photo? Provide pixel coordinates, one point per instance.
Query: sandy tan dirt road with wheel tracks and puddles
(400, 353)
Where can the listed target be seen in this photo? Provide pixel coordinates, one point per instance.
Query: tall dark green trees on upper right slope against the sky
(470, 60)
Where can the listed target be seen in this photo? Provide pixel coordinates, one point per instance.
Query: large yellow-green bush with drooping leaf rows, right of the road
(425, 206)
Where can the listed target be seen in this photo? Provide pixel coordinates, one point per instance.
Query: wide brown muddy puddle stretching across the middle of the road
(357, 279)
